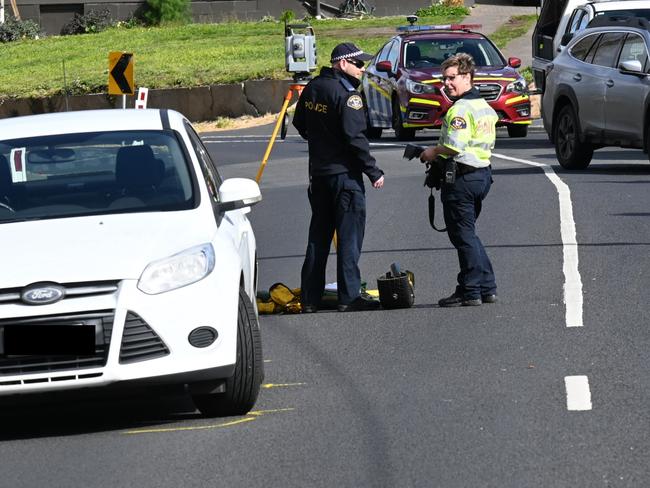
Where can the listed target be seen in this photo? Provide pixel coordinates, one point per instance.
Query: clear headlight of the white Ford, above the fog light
(176, 271)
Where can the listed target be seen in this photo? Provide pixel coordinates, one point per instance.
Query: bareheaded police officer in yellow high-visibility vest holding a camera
(467, 136)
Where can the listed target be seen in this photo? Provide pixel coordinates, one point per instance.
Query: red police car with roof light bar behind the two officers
(402, 86)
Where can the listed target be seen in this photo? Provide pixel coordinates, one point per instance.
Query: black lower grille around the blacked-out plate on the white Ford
(28, 364)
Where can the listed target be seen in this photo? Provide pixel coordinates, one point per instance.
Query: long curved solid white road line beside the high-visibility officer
(572, 281)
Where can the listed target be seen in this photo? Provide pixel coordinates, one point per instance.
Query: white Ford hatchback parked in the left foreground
(125, 259)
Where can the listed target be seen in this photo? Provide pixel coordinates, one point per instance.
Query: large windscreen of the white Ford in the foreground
(93, 173)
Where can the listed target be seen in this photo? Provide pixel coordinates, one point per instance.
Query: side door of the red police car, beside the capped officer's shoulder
(377, 89)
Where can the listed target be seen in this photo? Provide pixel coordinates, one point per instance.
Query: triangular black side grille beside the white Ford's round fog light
(139, 341)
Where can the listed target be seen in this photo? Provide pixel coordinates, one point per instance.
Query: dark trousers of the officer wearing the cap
(338, 202)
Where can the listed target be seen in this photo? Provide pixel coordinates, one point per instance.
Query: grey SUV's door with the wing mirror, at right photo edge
(625, 93)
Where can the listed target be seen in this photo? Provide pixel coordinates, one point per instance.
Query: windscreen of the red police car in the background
(430, 53)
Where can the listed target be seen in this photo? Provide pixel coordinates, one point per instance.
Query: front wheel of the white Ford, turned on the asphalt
(243, 386)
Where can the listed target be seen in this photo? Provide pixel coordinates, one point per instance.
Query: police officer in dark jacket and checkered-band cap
(331, 116)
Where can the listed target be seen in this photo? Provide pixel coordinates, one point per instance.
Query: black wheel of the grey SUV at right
(570, 151)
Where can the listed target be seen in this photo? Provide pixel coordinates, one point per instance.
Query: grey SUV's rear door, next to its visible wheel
(589, 82)
